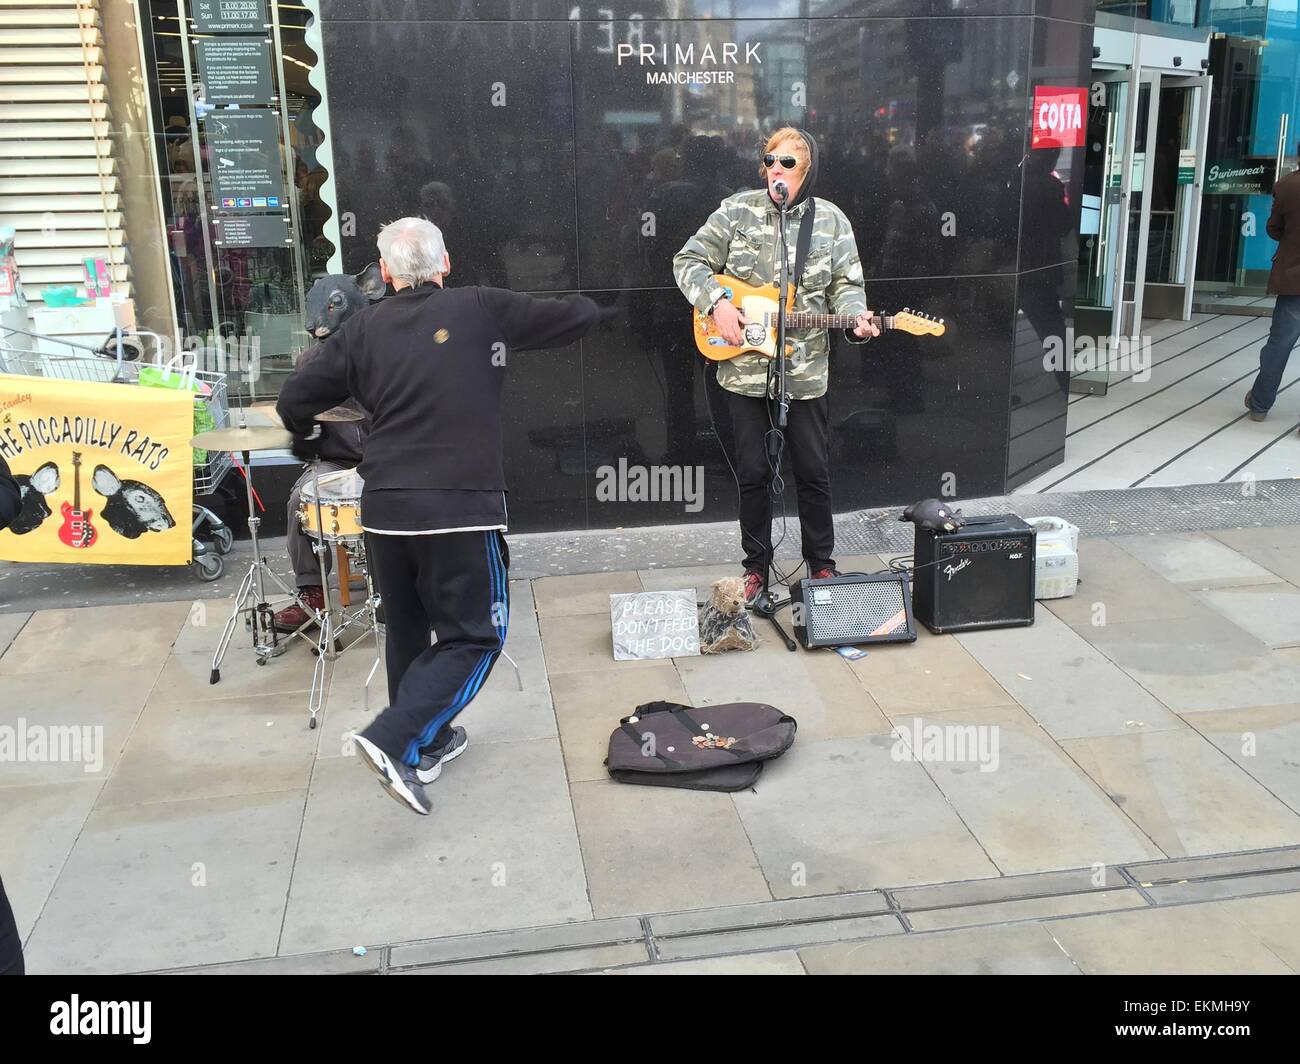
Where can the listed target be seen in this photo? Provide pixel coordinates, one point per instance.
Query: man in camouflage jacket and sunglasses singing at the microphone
(740, 240)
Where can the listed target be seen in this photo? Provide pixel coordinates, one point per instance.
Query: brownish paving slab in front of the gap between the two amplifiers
(931, 674)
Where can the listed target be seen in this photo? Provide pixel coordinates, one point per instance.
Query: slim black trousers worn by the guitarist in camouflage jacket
(808, 444)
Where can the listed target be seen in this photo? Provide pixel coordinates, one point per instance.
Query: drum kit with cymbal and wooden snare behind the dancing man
(331, 513)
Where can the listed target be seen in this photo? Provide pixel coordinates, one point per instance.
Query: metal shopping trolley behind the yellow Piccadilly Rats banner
(119, 361)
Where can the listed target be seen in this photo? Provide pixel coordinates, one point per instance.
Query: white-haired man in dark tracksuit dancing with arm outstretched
(430, 364)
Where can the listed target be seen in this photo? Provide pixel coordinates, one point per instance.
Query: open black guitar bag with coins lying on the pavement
(710, 749)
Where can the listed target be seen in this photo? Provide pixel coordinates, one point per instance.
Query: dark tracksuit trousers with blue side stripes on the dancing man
(453, 585)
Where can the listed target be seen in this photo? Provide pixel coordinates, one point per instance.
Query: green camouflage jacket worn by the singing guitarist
(740, 240)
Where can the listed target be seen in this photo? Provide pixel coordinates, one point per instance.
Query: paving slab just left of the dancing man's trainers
(211, 750)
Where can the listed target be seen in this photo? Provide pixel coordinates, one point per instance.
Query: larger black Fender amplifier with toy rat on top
(980, 577)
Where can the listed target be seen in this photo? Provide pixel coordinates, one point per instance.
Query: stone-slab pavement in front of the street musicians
(1137, 806)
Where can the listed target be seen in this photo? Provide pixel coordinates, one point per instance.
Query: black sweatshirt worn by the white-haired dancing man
(430, 366)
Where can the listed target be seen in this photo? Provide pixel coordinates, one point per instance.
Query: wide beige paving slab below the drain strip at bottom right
(1181, 941)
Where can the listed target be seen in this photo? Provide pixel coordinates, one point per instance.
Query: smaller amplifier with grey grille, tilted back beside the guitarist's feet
(852, 611)
